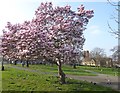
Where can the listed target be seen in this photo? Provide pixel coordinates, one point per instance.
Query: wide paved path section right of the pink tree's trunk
(100, 79)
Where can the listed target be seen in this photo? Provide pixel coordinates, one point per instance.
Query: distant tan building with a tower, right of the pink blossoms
(104, 62)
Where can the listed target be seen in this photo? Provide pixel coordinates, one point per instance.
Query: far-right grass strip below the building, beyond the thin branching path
(102, 70)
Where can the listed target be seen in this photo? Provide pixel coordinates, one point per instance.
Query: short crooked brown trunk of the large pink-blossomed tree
(61, 73)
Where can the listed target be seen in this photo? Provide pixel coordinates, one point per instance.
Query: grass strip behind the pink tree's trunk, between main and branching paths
(66, 69)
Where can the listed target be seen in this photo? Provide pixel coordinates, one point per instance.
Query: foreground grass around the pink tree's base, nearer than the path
(20, 80)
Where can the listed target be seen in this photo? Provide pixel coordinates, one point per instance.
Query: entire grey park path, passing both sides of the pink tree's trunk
(100, 79)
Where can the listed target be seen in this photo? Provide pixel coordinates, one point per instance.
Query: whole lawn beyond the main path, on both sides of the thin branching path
(81, 70)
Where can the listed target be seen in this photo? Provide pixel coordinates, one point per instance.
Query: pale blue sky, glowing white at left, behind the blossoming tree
(97, 32)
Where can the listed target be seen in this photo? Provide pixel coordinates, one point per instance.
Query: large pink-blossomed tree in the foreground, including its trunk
(54, 34)
